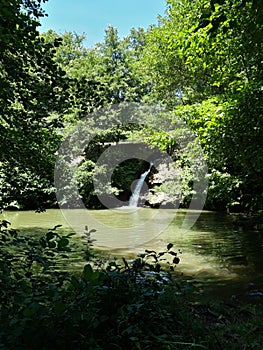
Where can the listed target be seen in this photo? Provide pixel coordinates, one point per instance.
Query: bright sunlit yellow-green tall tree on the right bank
(205, 59)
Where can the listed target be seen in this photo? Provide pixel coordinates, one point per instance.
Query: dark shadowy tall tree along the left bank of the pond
(31, 88)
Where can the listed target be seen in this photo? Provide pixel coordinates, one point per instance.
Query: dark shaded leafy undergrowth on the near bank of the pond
(140, 304)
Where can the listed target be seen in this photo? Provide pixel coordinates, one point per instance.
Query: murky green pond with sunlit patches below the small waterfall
(213, 252)
